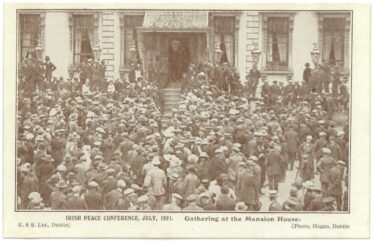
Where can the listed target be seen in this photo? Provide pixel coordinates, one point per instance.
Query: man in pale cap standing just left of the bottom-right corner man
(324, 166)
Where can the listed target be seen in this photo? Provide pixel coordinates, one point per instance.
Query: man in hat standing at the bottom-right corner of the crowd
(335, 188)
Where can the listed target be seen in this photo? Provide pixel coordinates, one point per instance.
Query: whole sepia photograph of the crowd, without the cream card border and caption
(177, 110)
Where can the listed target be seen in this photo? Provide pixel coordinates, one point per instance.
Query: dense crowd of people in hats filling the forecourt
(89, 148)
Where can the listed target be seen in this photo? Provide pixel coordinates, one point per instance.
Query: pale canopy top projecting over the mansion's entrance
(179, 21)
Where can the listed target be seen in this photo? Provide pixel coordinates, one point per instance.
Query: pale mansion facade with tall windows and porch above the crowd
(284, 38)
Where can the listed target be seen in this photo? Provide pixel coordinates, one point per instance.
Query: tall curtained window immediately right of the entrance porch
(224, 37)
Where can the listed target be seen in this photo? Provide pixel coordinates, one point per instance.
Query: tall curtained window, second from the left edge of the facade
(83, 34)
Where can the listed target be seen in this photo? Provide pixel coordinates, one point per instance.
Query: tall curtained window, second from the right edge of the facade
(277, 43)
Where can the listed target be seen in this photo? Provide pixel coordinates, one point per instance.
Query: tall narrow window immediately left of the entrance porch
(130, 35)
